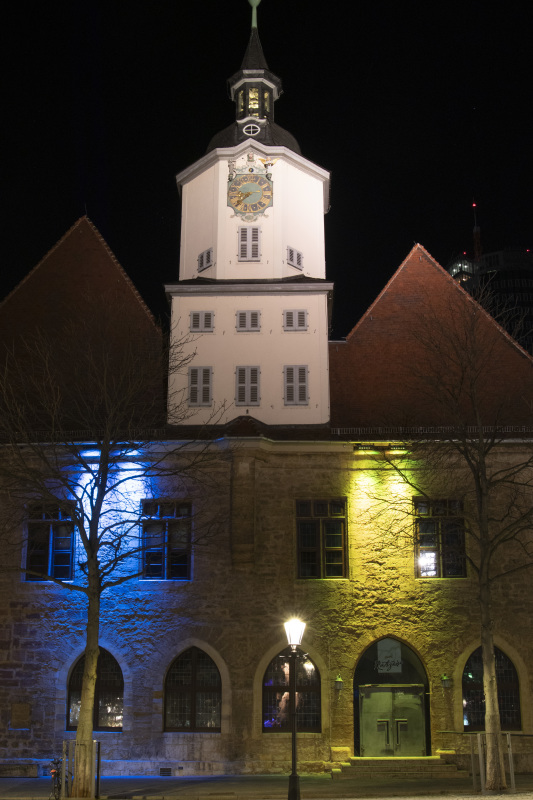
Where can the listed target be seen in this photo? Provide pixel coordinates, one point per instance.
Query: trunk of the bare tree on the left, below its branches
(84, 766)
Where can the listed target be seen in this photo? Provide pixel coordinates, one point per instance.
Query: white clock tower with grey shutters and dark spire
(252, 301)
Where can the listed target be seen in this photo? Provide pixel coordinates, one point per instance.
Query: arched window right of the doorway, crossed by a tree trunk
(474, 697)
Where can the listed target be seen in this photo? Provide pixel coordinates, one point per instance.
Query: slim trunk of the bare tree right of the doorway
(495, 780)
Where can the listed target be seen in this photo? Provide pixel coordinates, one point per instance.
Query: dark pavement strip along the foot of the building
(264, 787)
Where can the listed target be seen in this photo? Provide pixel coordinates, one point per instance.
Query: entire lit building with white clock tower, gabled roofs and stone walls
(318, 505)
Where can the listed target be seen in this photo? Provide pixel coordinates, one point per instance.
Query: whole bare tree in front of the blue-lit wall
(82, 430)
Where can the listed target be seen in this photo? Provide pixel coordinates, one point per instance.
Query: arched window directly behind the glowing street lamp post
(276, 693)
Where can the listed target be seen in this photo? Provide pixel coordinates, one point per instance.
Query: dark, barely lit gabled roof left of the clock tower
(79, 349)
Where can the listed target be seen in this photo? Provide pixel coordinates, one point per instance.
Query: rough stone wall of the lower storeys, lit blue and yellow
(244, 586)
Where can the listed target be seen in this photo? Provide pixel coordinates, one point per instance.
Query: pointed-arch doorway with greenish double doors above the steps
(391, 709)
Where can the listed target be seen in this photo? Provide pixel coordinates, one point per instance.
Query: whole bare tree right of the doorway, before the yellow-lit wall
(471, 386)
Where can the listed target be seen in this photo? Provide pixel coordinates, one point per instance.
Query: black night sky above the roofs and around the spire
(415, 109)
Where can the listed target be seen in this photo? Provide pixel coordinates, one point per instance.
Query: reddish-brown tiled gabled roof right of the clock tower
(420, 351)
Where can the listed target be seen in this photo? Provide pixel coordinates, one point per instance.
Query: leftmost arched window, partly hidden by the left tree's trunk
(108, 696)
